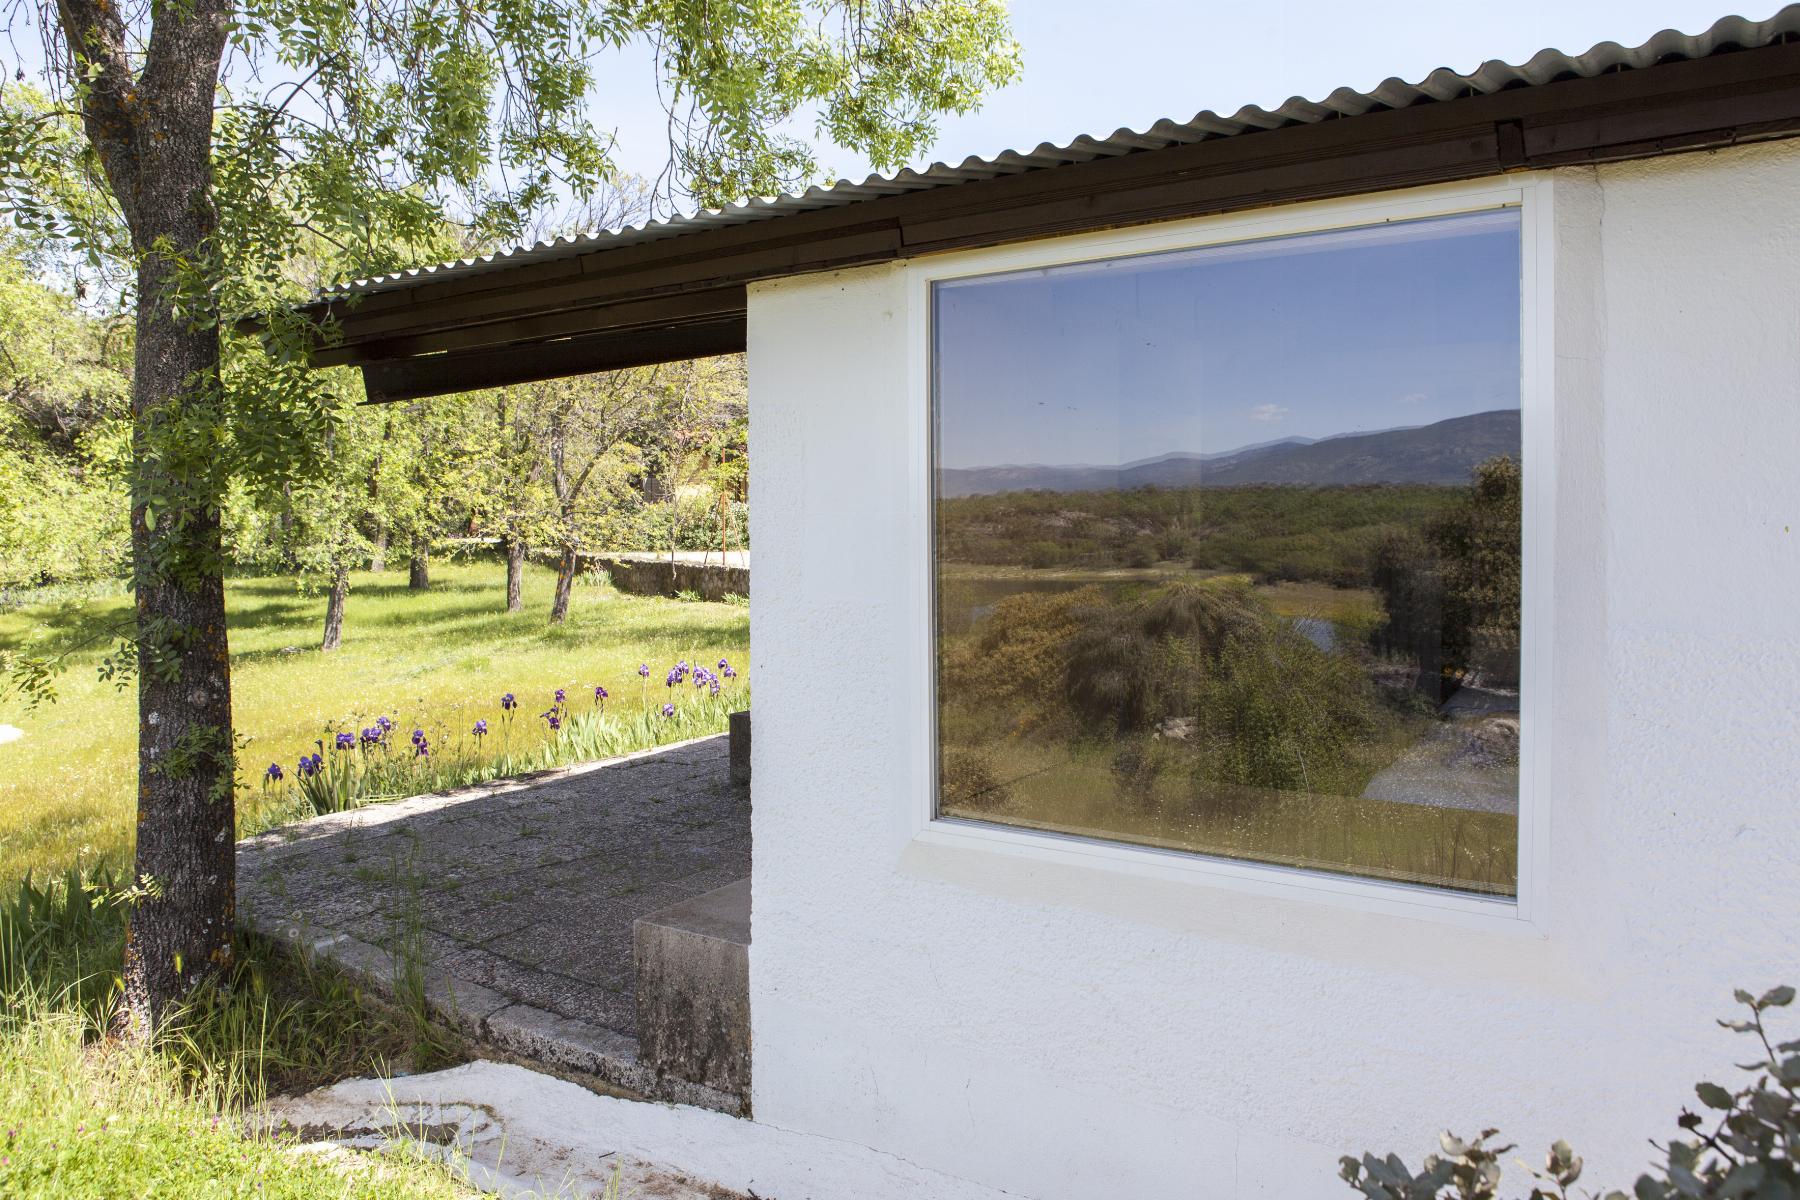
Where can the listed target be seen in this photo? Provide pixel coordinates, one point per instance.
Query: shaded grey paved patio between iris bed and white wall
(517, 899)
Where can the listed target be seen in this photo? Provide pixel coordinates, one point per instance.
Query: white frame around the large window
(1525, 913)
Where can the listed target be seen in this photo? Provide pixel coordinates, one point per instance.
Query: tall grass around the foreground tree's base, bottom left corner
(84, 1115)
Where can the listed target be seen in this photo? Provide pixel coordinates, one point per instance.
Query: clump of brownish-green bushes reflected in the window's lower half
(1201, 683)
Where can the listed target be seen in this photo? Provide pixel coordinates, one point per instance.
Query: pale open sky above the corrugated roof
(1095, 67)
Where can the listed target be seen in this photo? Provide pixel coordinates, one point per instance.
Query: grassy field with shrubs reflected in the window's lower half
(1210, 713)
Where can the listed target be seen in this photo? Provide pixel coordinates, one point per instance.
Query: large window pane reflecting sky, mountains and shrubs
(1228, 550)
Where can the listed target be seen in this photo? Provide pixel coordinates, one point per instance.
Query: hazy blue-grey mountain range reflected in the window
(1443, 452)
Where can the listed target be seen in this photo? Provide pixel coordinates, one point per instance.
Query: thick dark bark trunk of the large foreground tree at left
(154, 136)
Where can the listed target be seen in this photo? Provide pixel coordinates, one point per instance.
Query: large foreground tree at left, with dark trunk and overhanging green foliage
(226, 147)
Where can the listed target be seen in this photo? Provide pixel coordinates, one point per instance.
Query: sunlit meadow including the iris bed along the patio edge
(436, 661)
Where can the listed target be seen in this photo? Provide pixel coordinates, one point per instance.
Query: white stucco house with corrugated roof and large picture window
(1119, 947)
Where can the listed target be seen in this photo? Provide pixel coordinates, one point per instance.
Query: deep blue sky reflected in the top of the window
(1223, 348)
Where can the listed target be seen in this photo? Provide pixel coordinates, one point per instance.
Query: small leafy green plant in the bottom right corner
(1749, 1154)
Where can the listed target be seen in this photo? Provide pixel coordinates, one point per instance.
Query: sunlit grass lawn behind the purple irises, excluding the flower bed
(436, 659)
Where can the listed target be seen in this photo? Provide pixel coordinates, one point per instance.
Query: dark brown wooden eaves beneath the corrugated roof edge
(620, 301)
